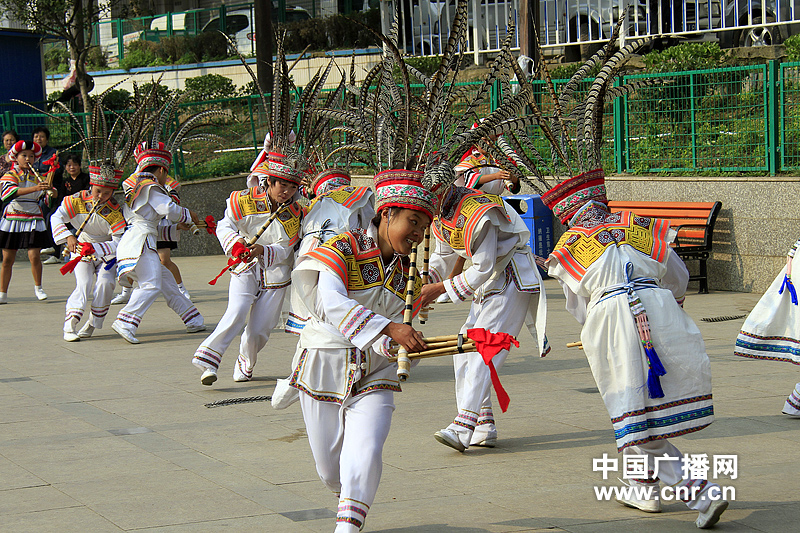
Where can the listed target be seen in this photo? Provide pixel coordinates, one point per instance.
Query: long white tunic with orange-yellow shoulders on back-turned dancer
(596, 262)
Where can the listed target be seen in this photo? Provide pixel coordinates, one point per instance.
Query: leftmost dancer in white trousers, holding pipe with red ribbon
(102, 231)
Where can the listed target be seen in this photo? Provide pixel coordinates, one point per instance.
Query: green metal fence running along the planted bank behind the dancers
(739, 119)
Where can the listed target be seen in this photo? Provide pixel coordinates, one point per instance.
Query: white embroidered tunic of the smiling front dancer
(341, 352)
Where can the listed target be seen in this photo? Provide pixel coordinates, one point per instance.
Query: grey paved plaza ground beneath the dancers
(101, 435)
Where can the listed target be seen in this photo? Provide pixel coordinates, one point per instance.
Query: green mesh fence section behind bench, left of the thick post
(698, 120)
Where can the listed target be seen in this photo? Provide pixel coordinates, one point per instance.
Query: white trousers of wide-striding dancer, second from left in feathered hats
(153, 279)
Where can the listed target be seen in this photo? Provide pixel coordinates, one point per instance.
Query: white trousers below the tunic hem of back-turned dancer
(670, 472)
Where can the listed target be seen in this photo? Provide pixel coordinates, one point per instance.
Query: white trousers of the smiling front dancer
(347, 443)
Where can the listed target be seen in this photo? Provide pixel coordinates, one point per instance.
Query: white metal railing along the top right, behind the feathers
(577, 27)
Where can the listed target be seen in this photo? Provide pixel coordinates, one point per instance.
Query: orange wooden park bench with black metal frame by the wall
(694, 222)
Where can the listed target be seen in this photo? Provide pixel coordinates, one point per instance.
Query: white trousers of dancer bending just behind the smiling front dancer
(505, 312)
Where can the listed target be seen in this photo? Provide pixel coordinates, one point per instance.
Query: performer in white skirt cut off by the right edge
(772, 329)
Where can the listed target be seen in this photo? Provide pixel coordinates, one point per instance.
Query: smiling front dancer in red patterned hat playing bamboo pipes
(353, 288)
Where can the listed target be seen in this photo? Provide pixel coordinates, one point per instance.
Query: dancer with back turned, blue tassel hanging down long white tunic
(626, 286)
